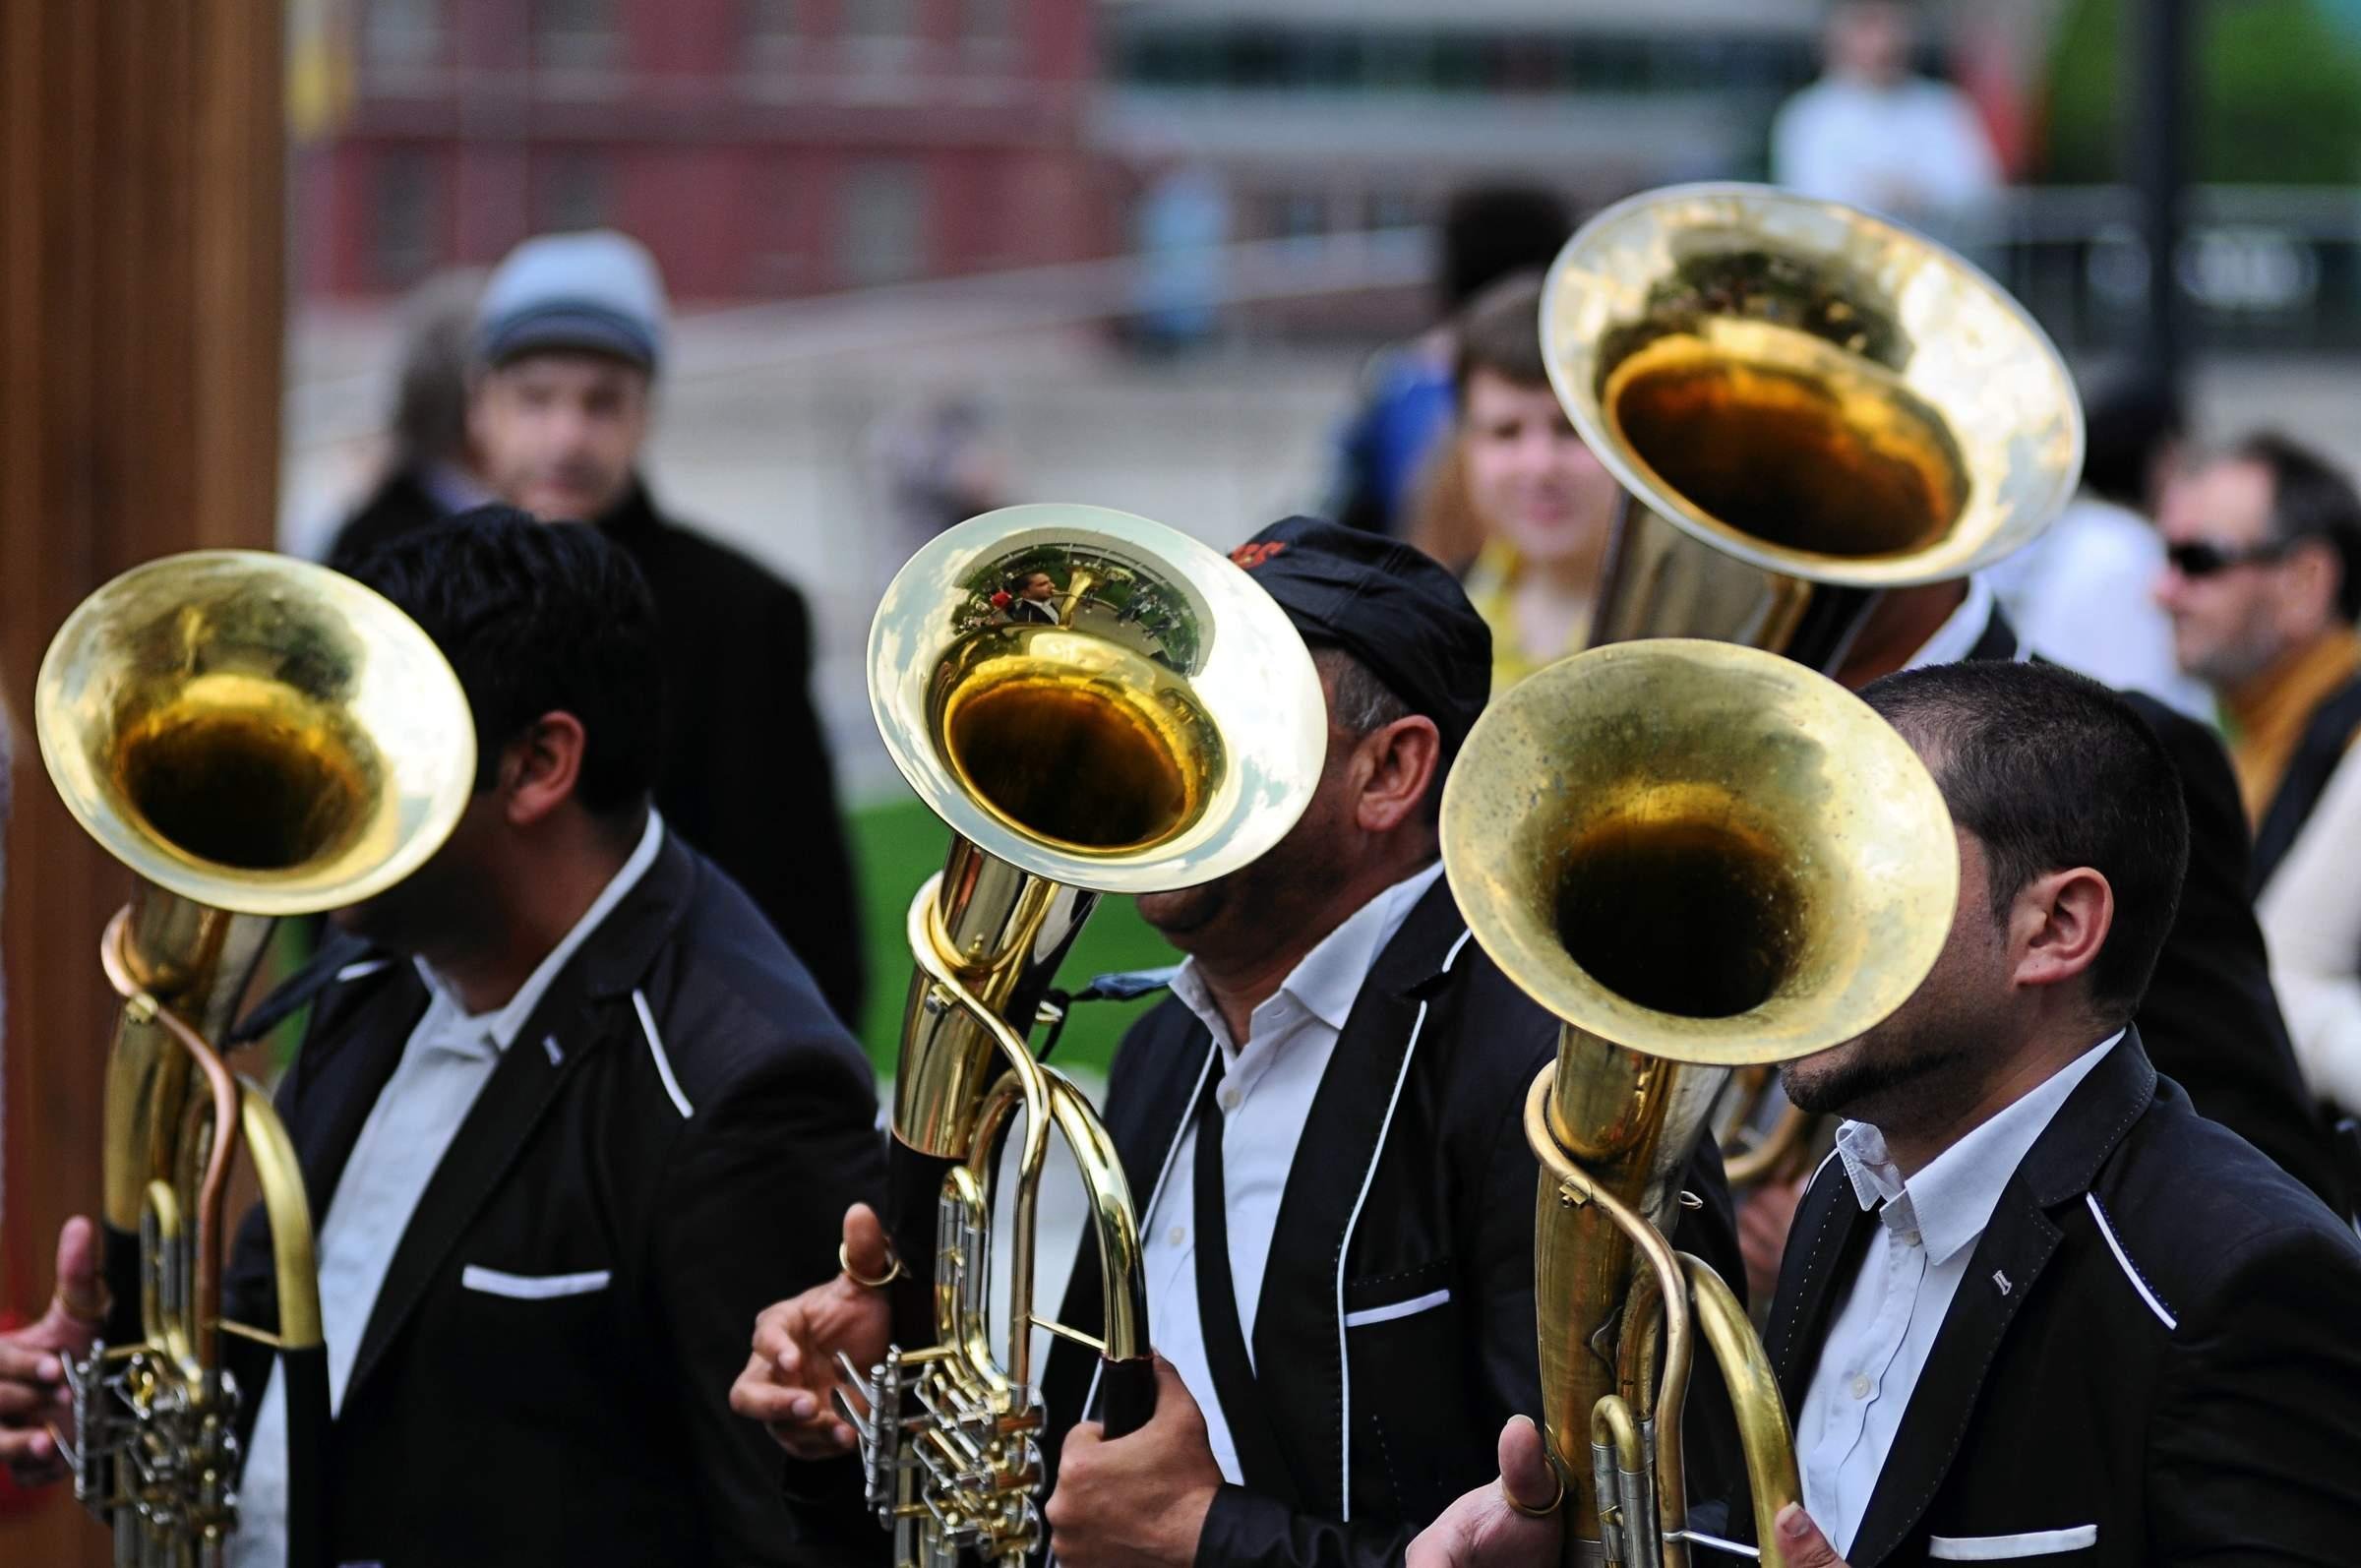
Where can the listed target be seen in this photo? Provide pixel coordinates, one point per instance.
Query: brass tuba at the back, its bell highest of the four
(1805, 405)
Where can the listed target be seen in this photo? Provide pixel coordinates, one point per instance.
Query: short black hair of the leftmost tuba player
(539, 618)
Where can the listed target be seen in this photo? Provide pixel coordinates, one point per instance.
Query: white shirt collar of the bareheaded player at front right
(1951, 1201)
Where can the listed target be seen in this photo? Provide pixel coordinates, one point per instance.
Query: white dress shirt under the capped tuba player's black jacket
(1267, 1095)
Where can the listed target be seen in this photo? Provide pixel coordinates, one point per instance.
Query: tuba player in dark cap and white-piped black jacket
(1323, 1128)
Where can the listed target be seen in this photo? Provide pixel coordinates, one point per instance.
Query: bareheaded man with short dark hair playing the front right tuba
(2036, 1305)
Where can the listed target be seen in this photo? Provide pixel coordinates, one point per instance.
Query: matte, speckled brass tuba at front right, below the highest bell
(1696, 856)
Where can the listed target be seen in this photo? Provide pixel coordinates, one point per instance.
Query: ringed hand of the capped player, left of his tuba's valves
(792, 1380)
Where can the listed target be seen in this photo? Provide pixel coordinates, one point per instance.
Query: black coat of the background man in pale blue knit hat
(747, 771)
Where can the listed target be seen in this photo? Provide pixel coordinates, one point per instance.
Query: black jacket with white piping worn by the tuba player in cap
(1413, 1184)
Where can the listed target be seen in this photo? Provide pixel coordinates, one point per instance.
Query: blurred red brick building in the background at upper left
(761, 148)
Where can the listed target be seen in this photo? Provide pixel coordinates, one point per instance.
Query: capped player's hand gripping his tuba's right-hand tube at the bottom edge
(1142, 1498)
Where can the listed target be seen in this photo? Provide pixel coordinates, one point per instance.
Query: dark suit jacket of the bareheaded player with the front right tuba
(2154, 1342)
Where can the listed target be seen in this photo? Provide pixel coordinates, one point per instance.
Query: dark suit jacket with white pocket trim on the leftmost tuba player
(591, 1427)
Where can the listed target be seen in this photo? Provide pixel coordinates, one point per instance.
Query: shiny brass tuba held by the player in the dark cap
(1153, 724)
